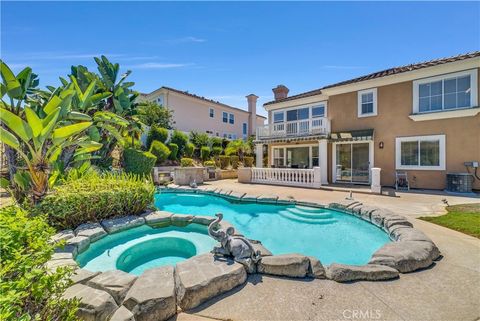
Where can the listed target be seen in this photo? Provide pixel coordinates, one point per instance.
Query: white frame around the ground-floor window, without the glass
(441, 150)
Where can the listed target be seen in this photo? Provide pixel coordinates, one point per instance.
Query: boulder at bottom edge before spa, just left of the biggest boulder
(152, 296)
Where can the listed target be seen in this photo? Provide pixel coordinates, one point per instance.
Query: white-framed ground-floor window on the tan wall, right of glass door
(420, 152)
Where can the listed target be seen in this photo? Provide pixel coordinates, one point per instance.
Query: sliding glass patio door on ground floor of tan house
(352, 162)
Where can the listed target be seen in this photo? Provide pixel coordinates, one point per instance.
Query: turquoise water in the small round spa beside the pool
(142, 248)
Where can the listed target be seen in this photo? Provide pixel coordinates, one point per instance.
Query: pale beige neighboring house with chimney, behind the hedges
(195, 113)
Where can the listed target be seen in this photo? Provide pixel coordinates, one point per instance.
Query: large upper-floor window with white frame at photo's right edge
(447, 92)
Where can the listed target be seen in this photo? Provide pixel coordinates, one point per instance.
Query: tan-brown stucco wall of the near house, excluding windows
(393, 108)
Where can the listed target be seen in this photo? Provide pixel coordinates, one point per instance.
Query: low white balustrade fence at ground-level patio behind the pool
(287, 176)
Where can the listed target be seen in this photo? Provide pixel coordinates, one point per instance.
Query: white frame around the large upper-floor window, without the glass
(473, 73)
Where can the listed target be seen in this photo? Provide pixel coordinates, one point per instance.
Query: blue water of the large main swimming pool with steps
(329, 235)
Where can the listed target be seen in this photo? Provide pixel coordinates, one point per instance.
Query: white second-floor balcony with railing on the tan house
(291, 129)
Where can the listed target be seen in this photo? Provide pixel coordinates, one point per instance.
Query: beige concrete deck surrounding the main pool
(450, 290)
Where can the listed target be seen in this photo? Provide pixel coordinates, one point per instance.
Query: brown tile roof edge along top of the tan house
(383, 73)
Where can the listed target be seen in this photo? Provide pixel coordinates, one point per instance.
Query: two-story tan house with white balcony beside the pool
(422, 119)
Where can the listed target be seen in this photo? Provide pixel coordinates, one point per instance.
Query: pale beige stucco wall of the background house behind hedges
(192, 114)
